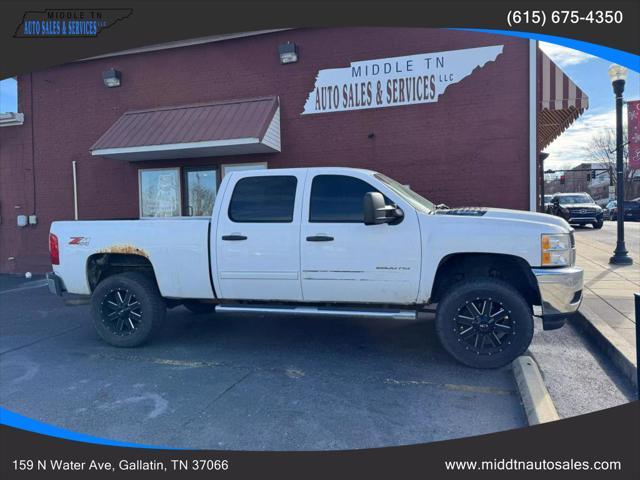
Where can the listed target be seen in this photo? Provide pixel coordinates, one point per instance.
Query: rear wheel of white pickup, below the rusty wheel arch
(127, 309)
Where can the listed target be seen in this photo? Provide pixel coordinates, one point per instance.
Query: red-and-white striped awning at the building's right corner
(560, 101)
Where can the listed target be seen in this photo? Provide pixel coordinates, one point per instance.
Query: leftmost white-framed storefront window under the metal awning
(159, 192)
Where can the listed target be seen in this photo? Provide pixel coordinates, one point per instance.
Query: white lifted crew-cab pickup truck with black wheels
(328, 241)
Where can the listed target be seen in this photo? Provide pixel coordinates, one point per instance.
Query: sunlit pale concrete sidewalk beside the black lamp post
(609, 289)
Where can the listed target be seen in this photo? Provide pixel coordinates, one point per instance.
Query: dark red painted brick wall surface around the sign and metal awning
(469, 148)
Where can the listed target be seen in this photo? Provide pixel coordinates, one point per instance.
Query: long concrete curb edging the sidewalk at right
(611, 343)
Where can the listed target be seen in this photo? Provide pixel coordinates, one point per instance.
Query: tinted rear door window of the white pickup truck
(269, 199)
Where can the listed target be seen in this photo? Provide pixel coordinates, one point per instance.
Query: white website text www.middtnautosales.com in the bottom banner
(513, 464)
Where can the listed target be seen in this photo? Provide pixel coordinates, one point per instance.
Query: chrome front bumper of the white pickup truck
(560, 293)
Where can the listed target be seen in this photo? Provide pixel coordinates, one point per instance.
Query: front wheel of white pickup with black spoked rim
(484, 323)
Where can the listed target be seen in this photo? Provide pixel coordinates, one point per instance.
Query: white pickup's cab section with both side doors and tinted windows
(300, 235)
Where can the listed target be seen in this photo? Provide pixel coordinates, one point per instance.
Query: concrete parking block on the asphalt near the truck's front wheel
(537, 402)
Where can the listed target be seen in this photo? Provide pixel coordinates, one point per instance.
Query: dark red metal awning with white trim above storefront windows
(234, 127)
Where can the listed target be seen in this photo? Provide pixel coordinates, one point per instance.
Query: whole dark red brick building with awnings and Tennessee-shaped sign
(467, 129)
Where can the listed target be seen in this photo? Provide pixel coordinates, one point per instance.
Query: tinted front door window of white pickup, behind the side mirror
(338, 199)
